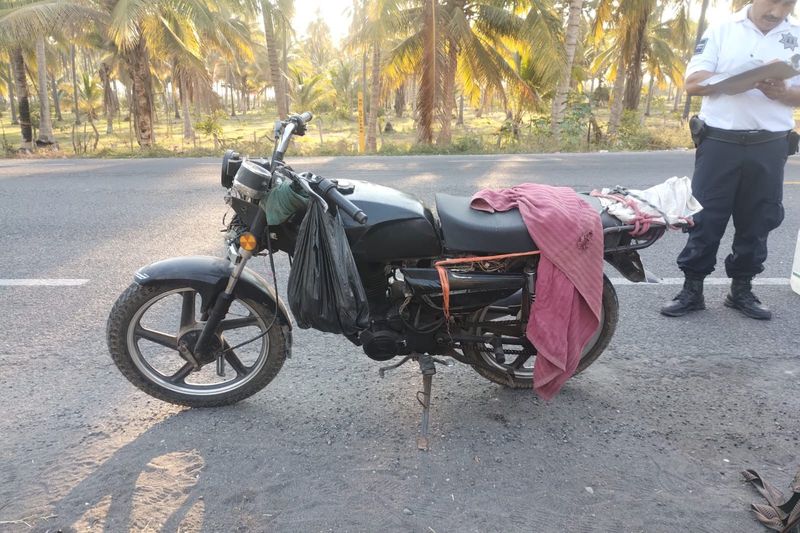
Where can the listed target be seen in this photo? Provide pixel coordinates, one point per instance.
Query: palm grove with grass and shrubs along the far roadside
(135, 78)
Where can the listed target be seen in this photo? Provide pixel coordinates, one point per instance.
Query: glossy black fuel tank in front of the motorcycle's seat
(398, 227)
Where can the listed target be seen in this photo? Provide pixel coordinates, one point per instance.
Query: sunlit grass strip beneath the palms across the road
(328, 135)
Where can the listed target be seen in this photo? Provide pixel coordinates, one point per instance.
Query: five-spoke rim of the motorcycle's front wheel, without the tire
(153, 344)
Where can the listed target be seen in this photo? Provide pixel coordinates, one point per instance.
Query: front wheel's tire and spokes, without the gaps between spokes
(125, 331)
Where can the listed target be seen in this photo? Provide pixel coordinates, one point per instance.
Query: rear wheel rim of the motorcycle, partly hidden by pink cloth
(518, 365)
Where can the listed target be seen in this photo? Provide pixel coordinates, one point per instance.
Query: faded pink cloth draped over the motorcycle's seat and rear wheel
(569, 279)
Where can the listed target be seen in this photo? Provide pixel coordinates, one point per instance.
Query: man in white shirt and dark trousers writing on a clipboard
(742, 150)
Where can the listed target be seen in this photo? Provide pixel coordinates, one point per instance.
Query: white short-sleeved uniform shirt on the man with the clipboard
(728, 45)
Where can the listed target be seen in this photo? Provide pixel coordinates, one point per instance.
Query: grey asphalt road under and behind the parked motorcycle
(651, 438)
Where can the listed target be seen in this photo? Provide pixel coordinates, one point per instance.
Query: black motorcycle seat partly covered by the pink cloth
(468, 230)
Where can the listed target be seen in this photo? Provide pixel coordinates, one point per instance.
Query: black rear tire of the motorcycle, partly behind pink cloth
(488, 367)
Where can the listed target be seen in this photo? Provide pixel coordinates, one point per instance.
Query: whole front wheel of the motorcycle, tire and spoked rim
(148, 324)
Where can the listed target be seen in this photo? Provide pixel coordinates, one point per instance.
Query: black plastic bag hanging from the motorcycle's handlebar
(325, 290)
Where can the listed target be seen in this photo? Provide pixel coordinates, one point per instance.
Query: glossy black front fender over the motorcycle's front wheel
(209, 276)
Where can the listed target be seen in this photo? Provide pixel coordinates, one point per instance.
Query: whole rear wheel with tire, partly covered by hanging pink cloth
(517, 370)
